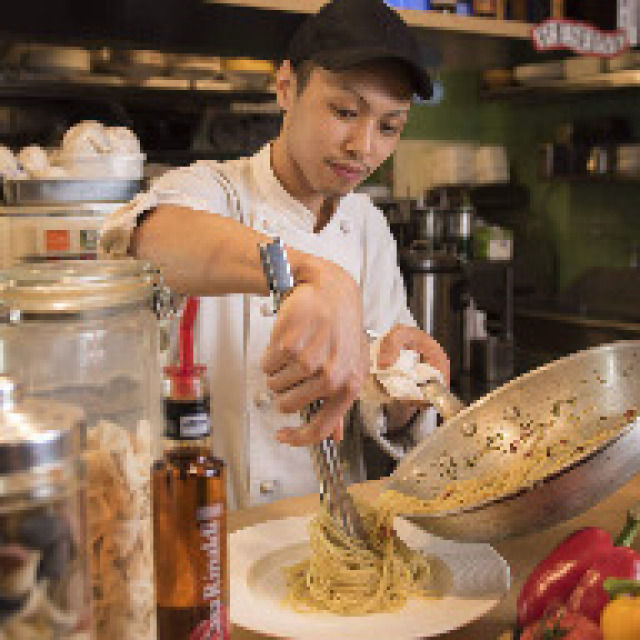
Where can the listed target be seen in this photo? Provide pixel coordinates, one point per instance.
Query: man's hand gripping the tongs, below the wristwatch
(317, 350)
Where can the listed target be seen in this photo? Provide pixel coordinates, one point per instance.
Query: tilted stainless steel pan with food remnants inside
(582, 392)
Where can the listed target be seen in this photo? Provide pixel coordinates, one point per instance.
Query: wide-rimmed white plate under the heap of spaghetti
(477, 578)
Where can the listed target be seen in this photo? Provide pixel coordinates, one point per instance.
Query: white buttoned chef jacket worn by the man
(233, 331)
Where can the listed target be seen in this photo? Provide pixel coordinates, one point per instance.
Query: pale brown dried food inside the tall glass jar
(120, 531)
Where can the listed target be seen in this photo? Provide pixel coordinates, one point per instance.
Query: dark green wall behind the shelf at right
(570, 226)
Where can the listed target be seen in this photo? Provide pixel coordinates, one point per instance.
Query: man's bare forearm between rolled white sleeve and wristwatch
(201, 253)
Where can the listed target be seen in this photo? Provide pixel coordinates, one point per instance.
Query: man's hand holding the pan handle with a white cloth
(405, 337)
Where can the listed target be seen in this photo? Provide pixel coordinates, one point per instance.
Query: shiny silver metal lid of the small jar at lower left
(38, 438)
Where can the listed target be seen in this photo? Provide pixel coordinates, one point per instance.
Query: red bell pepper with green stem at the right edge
(589, 597)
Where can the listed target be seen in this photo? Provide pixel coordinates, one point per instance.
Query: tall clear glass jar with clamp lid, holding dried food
(85, 333)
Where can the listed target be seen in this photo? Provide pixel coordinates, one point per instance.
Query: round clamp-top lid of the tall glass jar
(75, 286)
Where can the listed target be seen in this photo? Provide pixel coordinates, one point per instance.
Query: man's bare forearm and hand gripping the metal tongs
(314, 352)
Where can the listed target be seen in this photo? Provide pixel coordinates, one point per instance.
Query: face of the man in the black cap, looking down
(342, 125)
